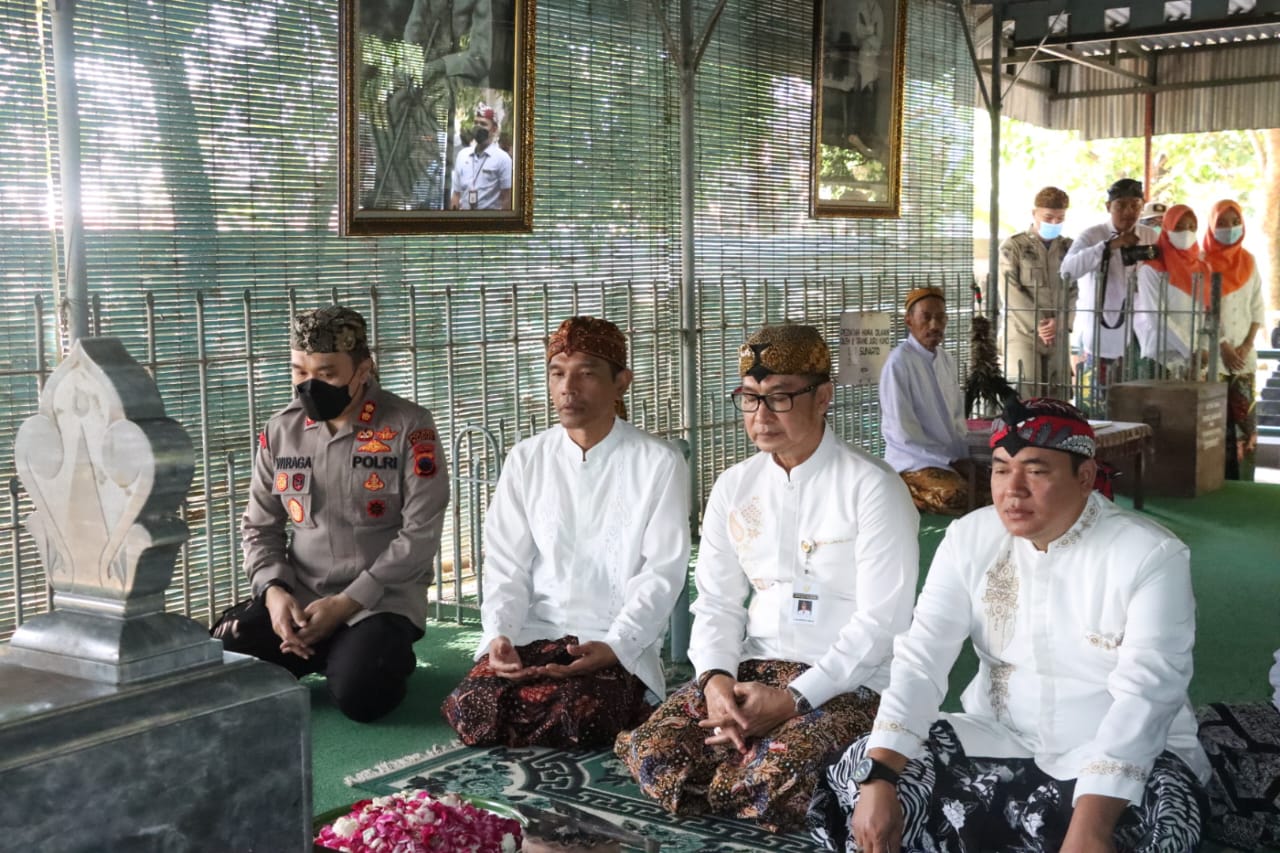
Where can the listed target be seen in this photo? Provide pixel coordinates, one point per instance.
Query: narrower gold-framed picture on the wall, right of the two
(860, 69)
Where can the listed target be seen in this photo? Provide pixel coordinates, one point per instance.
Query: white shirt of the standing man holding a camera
(1084, 262)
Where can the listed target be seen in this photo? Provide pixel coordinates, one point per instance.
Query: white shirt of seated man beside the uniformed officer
(593, 545)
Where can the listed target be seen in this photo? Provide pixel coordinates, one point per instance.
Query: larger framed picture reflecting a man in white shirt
(436, 106)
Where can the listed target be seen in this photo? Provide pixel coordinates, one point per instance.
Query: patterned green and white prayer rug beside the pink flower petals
(596, 783)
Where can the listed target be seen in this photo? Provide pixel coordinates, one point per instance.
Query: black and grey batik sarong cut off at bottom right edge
(1244, 746)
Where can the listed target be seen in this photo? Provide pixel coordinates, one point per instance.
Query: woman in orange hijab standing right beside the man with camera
(1165, 320)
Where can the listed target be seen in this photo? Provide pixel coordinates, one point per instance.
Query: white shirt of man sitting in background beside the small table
(922, 409)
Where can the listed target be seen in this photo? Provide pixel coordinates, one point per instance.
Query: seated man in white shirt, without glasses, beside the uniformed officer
(587, 549)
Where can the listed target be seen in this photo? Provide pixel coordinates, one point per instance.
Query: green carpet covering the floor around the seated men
(1235, 536)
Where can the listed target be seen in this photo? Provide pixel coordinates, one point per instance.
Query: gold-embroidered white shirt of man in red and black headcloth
(1085, 650)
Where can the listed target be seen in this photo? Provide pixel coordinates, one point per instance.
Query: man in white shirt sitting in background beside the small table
(922, 410)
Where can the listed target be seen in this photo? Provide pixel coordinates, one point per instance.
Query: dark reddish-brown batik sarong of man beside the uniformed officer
(586, 711)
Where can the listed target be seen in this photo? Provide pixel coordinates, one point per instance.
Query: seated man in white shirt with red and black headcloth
(1077, 733)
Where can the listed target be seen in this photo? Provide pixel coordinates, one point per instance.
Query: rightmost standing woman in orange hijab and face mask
(1244, 312)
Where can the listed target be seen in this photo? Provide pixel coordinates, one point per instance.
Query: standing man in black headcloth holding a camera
(1107, 254)
